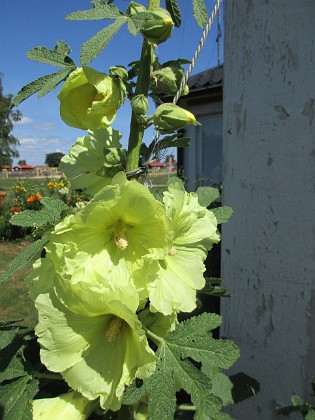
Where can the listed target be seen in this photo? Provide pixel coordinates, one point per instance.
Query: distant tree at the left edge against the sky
(8, 143)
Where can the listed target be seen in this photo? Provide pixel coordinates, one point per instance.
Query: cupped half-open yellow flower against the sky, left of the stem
(89, 99)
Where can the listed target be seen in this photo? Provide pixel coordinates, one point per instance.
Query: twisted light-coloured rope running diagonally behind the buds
(193, 62)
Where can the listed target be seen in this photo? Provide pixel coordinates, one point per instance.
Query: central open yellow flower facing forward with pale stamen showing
(119, 228)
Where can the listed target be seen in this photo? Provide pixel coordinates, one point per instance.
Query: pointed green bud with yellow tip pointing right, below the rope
(169, 117)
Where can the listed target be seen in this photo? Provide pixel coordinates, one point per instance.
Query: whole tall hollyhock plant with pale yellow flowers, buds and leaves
(116, 275)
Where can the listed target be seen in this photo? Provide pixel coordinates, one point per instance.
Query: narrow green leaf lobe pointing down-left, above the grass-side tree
(43, 85)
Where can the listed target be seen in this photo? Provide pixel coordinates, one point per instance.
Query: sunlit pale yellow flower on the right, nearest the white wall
(180, 273)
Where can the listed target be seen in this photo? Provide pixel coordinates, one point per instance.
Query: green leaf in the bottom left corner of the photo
(16, 399)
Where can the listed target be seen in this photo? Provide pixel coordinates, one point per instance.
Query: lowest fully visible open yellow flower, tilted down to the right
(93, 337)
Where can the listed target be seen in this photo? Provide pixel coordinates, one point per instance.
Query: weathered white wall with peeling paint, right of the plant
(269, 149)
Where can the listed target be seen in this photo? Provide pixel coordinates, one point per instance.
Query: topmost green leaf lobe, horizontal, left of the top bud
(100, 10)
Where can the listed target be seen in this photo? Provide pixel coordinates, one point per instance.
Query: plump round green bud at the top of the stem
(158, 26)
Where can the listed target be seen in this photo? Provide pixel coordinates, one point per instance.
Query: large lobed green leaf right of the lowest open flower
(177, 354)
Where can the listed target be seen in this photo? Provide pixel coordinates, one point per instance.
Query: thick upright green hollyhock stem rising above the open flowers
(143, 85)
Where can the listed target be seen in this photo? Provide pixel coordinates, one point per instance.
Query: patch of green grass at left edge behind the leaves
(15, 303)
